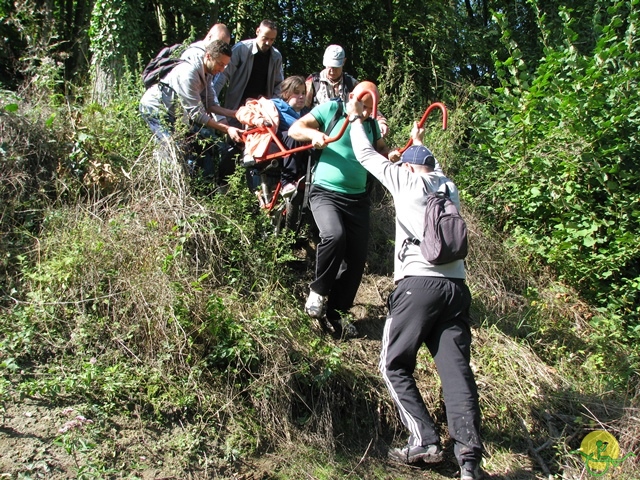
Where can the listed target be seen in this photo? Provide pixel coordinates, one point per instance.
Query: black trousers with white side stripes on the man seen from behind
(433, 311)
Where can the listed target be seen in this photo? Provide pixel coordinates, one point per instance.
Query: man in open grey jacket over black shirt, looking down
(255, 69)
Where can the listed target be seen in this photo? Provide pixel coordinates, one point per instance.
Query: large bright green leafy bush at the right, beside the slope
(559, 151)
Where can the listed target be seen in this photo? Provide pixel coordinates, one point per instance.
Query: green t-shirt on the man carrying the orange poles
(338, 169)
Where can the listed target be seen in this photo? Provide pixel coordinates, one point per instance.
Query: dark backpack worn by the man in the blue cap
(444, 238)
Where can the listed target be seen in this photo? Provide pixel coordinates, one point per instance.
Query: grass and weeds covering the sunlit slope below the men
(171, 319)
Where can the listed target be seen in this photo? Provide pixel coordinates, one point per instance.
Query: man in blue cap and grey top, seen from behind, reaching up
(430, 306)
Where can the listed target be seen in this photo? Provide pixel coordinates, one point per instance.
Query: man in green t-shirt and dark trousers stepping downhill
(340, 205)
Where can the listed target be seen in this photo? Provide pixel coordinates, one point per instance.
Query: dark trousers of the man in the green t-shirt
(343, 224)
